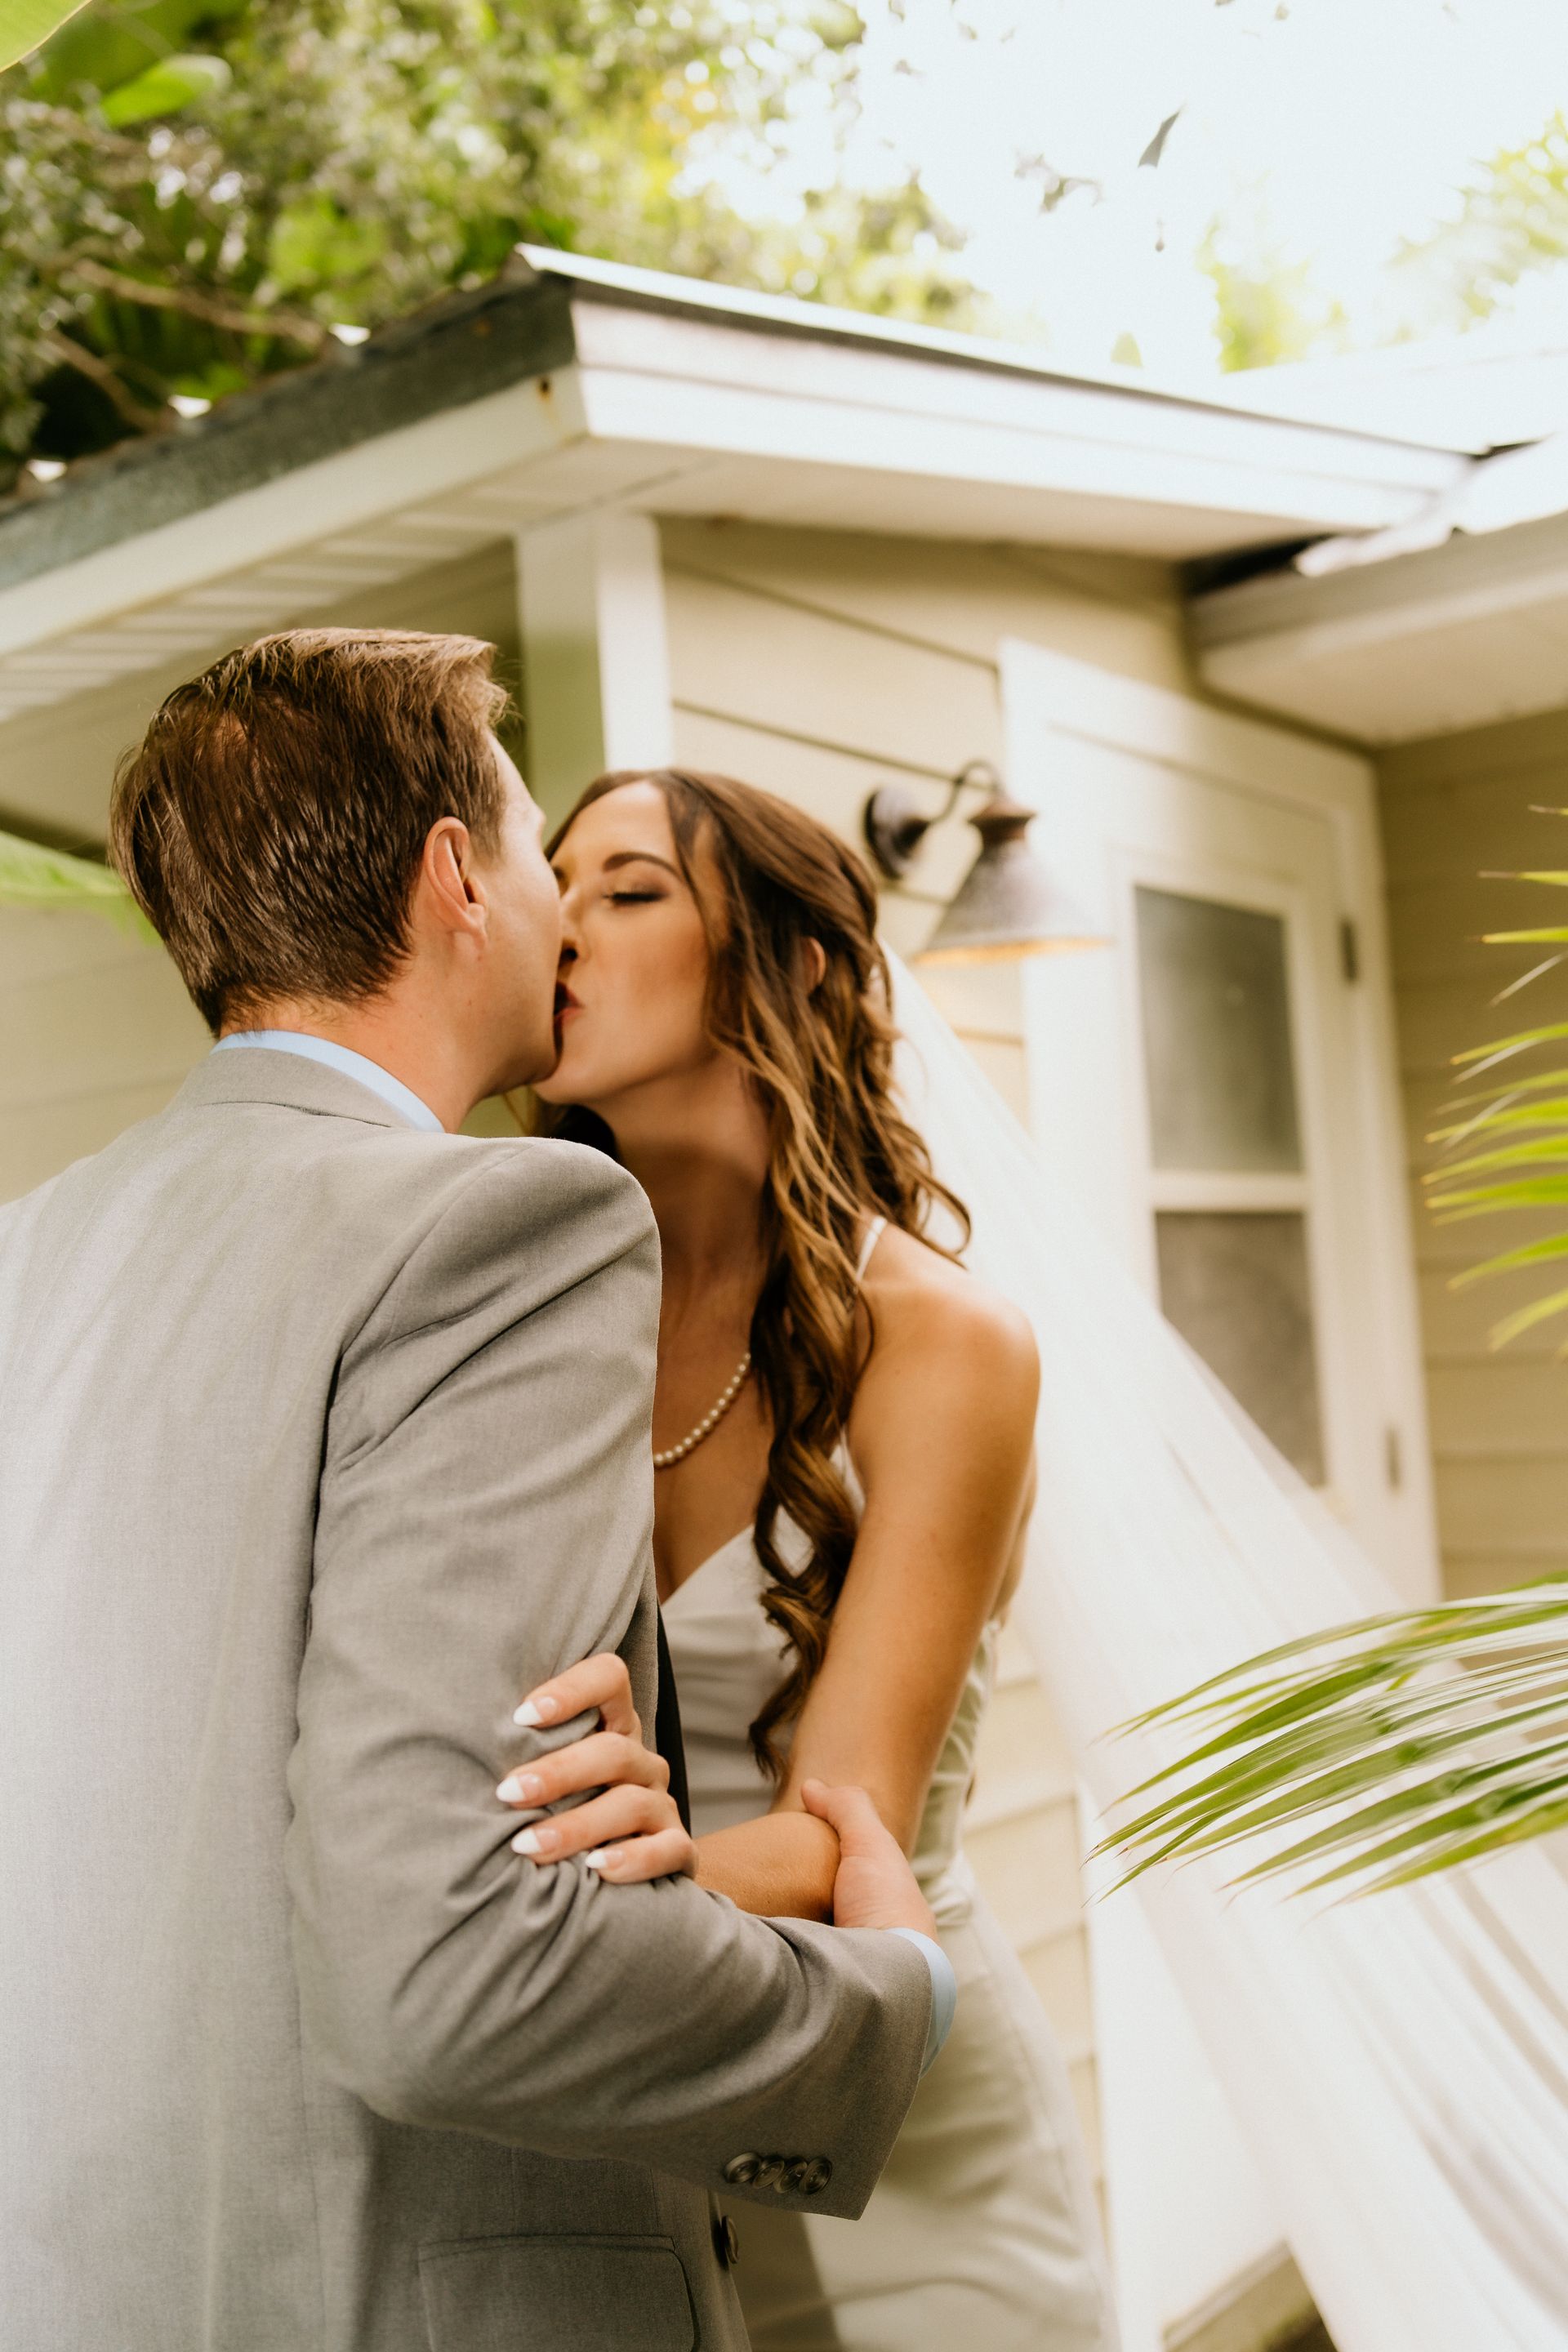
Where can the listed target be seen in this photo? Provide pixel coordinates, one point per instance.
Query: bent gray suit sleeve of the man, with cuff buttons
(485, 1516)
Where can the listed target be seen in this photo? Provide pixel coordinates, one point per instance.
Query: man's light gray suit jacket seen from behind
(321, 1443)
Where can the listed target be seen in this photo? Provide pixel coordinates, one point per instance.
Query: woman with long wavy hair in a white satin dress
(843, 1448)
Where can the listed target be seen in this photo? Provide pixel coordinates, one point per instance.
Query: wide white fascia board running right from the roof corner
(730, 392)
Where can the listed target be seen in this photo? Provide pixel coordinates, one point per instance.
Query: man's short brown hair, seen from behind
(272, 820)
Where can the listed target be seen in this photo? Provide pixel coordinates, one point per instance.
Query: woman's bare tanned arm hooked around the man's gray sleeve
(942, 1436)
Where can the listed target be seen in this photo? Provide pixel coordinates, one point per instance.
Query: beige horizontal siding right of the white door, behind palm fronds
(1456, 815)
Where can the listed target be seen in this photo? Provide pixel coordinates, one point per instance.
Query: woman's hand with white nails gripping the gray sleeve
(629, 1831)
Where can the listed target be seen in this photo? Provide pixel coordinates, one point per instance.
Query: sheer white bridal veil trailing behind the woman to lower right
(1400, 2066)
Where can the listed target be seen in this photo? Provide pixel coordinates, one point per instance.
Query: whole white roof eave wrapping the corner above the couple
(699, 401)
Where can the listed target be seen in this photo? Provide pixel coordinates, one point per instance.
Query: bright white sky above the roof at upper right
(1325, 128)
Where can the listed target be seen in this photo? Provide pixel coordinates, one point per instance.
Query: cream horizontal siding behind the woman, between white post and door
(822, 667)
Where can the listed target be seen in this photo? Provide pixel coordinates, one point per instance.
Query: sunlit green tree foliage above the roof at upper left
(196, 194)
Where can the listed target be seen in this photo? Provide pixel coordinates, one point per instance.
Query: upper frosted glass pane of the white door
(1217, 1036)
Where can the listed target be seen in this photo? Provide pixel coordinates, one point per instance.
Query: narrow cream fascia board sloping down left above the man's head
(295, 512)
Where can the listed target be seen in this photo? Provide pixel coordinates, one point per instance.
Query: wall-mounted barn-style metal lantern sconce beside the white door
(1007, 907)
